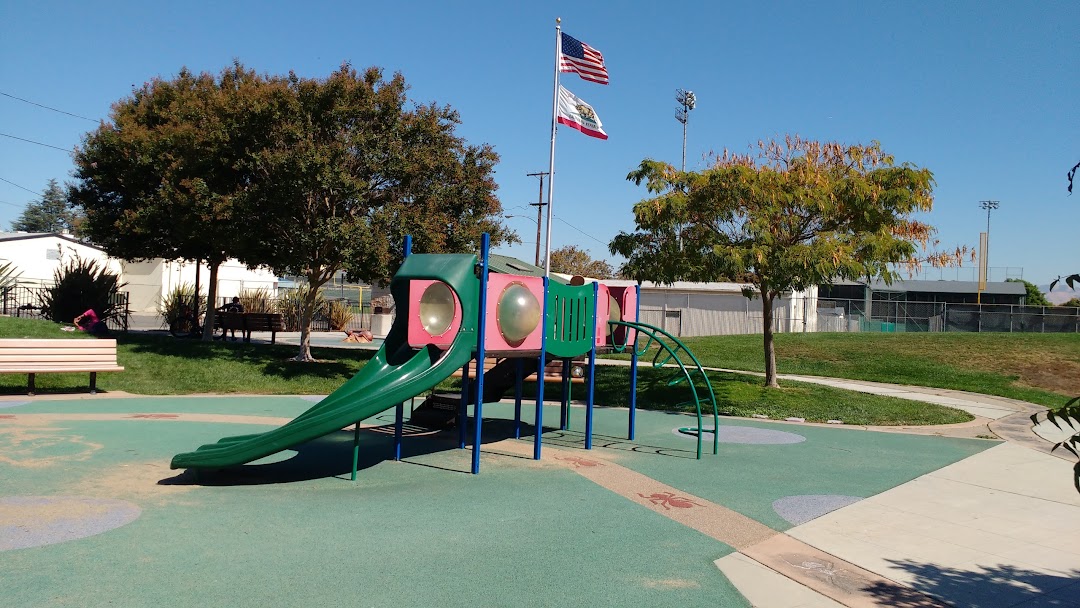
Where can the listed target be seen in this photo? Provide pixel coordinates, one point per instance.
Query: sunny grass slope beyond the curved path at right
(1043, 369)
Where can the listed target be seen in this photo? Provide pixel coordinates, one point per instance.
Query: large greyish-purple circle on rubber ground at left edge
(36, 521)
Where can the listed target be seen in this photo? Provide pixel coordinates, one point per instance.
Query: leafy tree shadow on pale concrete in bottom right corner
(989, 586)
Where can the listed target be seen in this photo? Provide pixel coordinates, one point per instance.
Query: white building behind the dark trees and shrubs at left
(38, 256)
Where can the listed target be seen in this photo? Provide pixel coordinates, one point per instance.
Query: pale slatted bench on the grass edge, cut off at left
(34, 357)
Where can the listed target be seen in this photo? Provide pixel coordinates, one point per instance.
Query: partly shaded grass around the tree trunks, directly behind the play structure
(160, 364)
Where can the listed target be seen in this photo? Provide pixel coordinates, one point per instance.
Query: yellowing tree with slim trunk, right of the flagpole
(793, 214)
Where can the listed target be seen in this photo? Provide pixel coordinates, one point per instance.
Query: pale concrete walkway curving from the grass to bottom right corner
(998, 530)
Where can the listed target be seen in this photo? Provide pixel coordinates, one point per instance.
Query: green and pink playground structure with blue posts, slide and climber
(452, 312)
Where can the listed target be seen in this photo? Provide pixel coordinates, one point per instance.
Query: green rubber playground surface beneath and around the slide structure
(293, 531)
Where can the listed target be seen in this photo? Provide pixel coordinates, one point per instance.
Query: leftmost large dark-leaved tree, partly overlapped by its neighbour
(161, 179)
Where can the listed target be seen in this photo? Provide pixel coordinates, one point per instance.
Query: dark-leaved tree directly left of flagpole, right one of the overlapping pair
(346, 170)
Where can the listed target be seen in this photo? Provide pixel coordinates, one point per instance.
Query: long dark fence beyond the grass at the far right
(901, 316)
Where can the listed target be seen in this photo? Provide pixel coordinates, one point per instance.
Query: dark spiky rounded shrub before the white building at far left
(79, 286)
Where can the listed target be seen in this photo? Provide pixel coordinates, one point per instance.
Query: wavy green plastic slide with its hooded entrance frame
(396, 374)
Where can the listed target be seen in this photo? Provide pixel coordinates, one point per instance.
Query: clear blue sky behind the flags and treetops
(984, 94)
